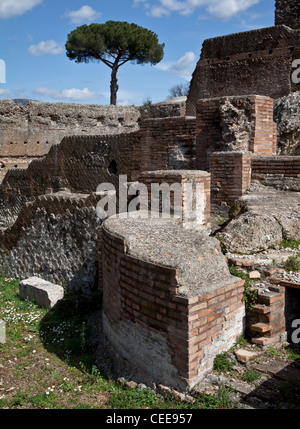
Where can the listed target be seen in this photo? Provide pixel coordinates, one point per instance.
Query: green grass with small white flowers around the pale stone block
(47, 362)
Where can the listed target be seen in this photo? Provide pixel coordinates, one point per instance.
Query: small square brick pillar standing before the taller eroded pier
(230, 176)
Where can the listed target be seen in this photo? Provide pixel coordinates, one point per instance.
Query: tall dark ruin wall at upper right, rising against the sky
(253, 62)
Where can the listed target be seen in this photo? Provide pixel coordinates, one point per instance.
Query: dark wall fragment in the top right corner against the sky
(288, 13)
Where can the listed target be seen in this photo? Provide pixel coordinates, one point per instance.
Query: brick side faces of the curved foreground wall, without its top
(154, 332)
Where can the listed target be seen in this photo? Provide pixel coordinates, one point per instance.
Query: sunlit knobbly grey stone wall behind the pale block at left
(55, 238)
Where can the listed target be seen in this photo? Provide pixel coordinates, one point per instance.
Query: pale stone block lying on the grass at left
(45, 294)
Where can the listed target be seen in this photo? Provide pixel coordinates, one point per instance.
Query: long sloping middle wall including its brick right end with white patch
(81, 163)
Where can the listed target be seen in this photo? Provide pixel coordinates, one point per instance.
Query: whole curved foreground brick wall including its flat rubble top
(169, 302)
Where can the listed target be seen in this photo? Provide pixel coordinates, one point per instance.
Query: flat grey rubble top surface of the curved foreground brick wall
(202, 268)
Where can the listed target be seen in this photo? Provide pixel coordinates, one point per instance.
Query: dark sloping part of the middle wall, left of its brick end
(77, 164)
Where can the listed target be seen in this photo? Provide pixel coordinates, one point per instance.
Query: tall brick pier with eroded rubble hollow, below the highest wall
(234, 123)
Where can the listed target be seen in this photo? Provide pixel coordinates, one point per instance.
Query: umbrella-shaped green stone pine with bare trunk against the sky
(114, 43)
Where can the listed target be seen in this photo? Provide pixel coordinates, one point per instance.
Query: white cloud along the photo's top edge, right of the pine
(220, 9)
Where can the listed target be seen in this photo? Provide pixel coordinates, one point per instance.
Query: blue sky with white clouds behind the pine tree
(33, 33)
